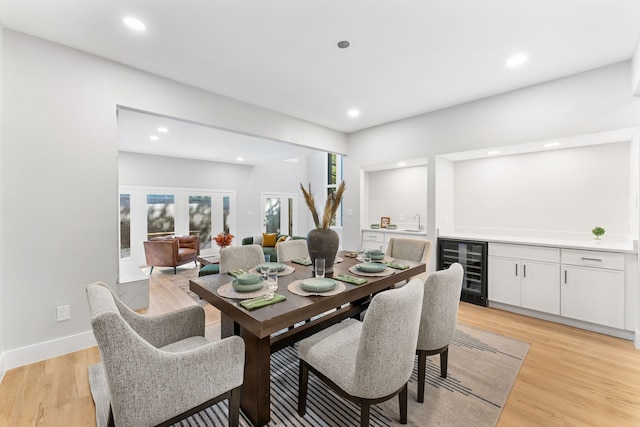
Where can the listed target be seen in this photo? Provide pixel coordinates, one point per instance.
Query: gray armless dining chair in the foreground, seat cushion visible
(371, 361)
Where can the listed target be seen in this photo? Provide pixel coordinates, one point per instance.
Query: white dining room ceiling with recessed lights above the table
(406, 57)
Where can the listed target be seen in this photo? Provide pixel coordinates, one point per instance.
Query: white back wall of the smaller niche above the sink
(399, 194)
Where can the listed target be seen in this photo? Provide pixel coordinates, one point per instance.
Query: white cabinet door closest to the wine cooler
(504, 280)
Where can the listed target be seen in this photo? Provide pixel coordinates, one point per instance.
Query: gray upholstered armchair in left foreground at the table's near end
(161, 369)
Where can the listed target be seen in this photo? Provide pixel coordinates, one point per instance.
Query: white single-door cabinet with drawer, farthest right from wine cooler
(593, 287)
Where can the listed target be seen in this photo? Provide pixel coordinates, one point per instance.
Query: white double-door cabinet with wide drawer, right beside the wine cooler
(525, 276)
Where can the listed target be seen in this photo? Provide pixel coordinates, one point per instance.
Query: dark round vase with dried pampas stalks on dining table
(322, 241)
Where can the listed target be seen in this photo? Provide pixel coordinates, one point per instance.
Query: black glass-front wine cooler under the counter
(472, 256)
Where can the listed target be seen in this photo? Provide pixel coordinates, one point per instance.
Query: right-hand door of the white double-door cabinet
(541, 286)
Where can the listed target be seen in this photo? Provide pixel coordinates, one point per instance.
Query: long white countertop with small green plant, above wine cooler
(629, 246)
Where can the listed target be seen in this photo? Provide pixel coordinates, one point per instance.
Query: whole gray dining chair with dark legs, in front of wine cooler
(438, 320)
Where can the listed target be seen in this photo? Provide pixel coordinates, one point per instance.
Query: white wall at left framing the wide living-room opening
(60, 156)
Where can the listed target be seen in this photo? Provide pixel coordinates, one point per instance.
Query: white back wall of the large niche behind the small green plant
(556, 193)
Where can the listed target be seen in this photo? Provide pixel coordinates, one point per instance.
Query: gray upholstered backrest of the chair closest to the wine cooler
(440, 307)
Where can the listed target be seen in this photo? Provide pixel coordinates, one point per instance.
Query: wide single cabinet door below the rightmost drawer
(593, 295)
